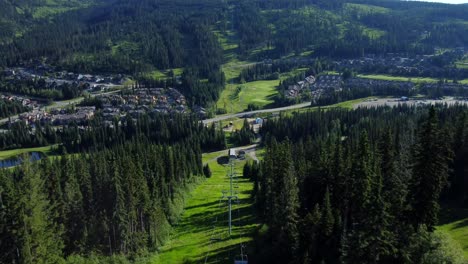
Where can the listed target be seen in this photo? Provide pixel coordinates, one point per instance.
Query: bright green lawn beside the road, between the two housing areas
(259, 93)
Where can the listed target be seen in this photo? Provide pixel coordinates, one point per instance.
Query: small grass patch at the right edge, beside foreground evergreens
(454, 222)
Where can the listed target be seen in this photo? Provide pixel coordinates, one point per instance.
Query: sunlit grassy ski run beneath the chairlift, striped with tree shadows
(191, 239)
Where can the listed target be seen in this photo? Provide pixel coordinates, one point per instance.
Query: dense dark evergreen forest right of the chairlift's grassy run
(364, 186)
